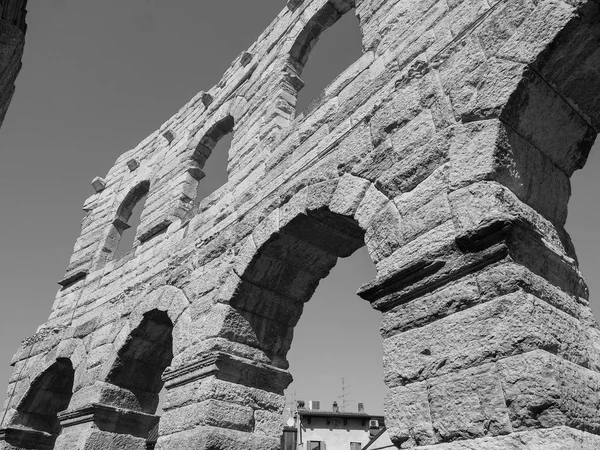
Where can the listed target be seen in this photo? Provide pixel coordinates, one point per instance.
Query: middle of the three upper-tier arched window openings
(211, 156)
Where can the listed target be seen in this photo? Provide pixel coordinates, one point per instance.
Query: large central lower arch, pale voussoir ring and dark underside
(280, 266)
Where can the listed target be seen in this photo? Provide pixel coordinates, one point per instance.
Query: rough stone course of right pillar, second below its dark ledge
(509, 325)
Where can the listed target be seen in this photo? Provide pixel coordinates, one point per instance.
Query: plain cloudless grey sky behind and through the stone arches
(97, 78)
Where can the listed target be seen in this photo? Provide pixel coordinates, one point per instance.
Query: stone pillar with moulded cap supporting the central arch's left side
(223, 401)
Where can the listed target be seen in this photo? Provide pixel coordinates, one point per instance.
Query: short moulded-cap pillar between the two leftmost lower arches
(106, 427)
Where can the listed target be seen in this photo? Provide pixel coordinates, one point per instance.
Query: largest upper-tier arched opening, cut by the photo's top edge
(338, 51)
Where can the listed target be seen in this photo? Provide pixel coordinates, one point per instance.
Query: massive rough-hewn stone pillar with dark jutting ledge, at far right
(488, 336)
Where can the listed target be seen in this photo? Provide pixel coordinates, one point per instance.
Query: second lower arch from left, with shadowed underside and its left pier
(119, 407)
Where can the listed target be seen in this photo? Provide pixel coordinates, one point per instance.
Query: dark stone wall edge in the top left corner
(12, 41)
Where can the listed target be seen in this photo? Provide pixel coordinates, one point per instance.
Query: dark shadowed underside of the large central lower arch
(285, 273)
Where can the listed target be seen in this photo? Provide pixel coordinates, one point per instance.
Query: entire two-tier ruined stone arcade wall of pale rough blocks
(446, 149)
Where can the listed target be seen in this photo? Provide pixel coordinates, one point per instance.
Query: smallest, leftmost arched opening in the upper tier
(121, 239)
